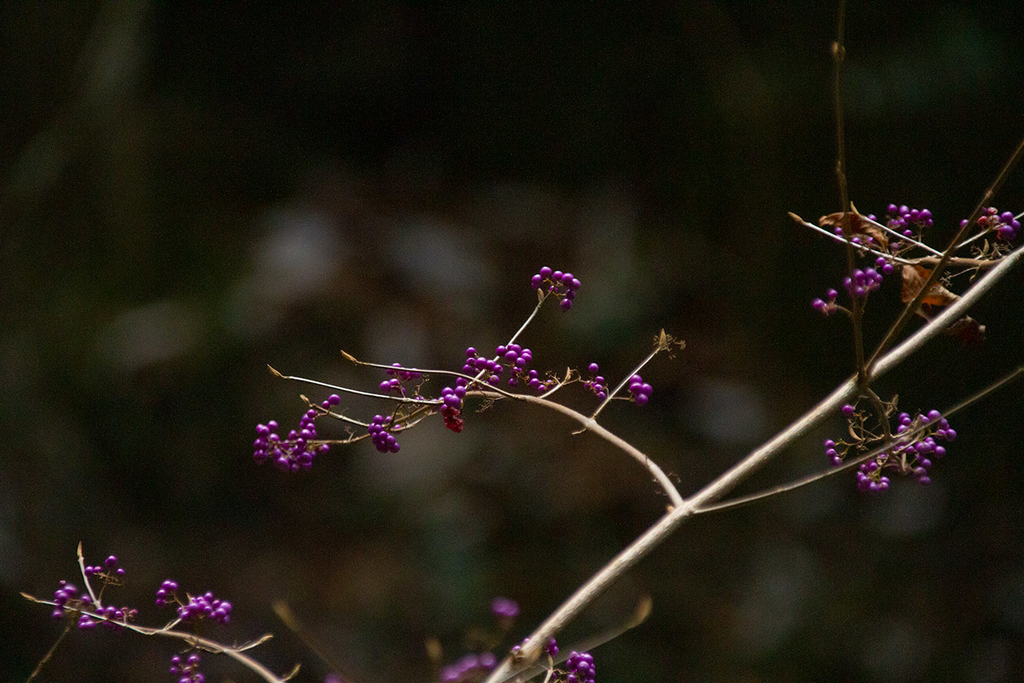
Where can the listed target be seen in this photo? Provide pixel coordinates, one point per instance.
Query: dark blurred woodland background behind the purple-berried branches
(191, 193)
